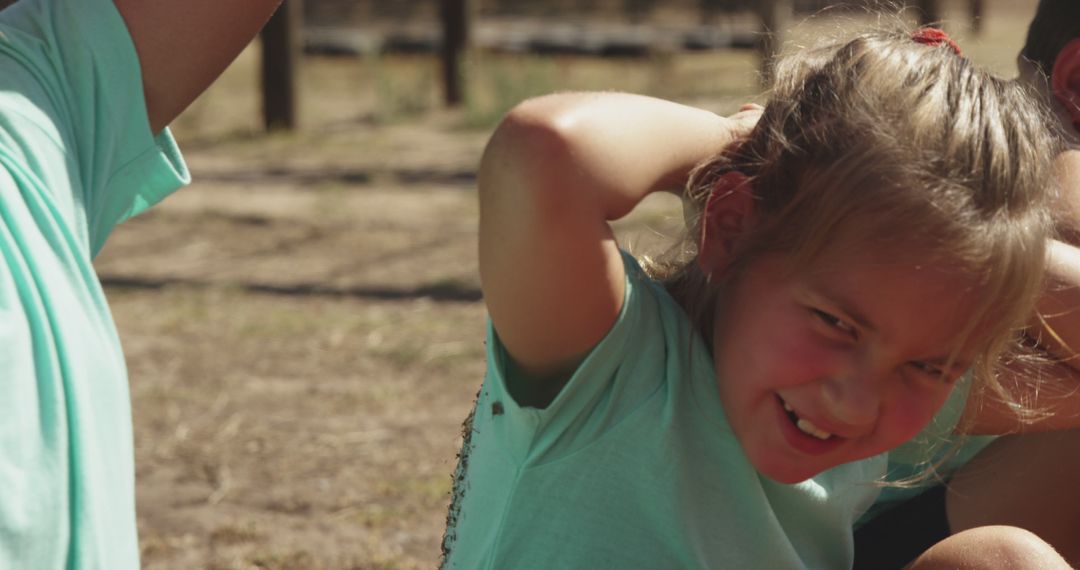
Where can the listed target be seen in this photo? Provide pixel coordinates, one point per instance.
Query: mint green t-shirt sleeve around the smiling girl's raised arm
(619, 375)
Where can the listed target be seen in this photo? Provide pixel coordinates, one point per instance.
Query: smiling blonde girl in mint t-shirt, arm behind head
(882, 230)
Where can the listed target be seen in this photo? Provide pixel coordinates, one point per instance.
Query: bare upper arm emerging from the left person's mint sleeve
(184, 47)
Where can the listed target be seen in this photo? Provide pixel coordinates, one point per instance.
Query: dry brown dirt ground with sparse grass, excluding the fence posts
(304, 324)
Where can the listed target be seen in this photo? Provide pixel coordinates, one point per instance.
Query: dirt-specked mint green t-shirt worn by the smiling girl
(634, 466)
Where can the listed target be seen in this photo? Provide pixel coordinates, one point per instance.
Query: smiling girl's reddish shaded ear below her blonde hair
(728, 215)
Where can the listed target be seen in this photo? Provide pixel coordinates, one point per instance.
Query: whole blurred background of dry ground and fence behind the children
(304, 325)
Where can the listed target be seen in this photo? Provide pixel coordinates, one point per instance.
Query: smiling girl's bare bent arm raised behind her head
(555, 173)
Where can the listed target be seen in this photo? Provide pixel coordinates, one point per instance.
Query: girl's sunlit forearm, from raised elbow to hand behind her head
(610, 151)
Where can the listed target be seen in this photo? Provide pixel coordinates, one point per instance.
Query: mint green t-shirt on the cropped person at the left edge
(77, 157)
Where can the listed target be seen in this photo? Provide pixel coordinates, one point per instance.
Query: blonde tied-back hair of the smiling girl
(881, 142)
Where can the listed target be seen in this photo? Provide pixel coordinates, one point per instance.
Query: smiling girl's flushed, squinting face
(822, 368)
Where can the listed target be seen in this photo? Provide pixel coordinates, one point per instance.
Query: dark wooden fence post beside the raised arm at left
(281, 47)
